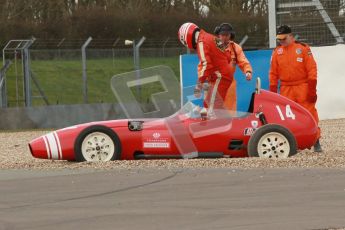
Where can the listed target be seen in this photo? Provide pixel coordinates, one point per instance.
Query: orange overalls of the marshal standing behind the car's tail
(295, 67)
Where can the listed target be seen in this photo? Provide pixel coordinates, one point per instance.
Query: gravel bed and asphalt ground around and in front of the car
(306, 191)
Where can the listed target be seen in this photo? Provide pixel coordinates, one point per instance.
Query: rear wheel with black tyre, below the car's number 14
(272, 141)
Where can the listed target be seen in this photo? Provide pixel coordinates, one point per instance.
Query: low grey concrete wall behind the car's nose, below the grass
(57, 116)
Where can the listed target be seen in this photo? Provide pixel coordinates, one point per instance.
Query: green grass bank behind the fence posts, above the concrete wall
(61, 80)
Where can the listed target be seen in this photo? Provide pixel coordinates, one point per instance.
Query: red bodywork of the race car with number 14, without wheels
(178, 134)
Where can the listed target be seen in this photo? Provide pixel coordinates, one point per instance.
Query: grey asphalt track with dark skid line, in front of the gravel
(173, 199)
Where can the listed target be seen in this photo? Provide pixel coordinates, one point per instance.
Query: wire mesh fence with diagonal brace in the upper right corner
(316, 22)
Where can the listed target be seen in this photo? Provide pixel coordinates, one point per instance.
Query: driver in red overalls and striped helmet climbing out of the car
(215, 64)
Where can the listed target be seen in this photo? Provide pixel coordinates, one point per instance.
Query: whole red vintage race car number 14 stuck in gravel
(273, 127)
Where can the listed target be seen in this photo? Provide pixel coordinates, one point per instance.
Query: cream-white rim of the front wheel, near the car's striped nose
(97, 146)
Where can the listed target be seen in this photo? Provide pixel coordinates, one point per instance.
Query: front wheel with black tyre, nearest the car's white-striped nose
(97, 144)
